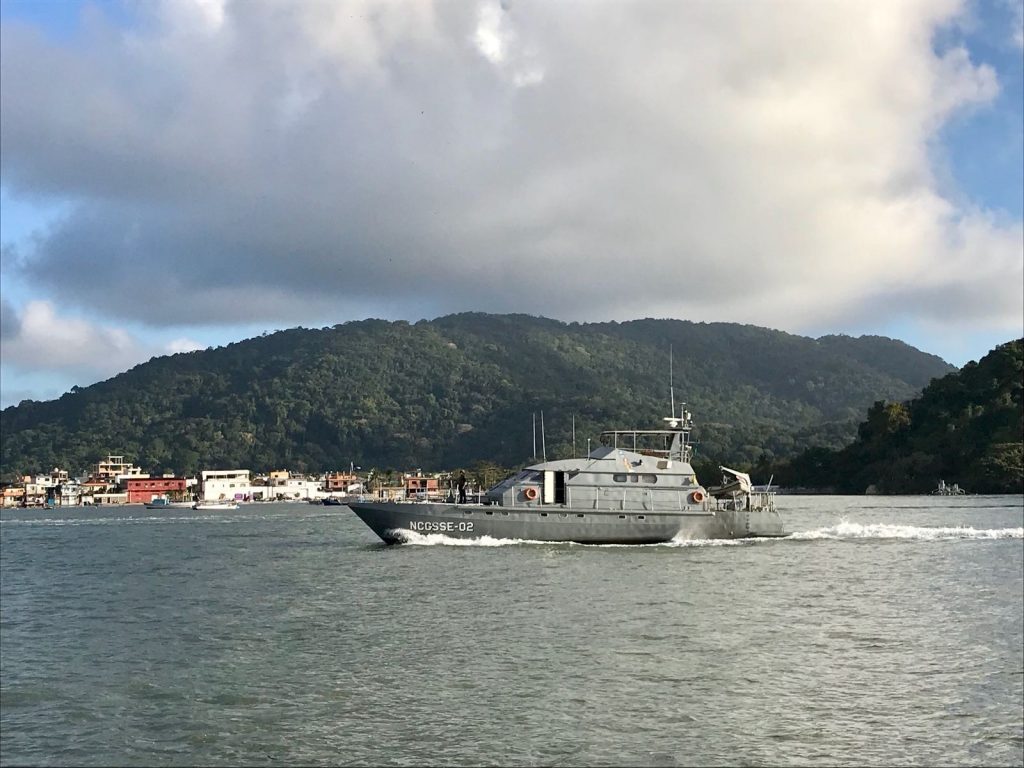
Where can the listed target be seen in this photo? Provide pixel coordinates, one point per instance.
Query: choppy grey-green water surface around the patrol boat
(885, 631)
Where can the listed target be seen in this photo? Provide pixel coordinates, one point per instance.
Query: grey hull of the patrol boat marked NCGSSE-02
(395, 522)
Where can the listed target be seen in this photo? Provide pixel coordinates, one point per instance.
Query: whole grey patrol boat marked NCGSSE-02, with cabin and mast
(637, 488)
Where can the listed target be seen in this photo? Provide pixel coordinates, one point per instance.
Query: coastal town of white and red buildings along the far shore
(117, 481)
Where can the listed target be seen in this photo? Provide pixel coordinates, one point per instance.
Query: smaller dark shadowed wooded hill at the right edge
(966, 429)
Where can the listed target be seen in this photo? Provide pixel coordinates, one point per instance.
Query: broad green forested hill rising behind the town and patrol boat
(462, 390)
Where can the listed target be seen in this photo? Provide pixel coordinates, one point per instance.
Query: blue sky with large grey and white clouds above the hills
(177, 175)
